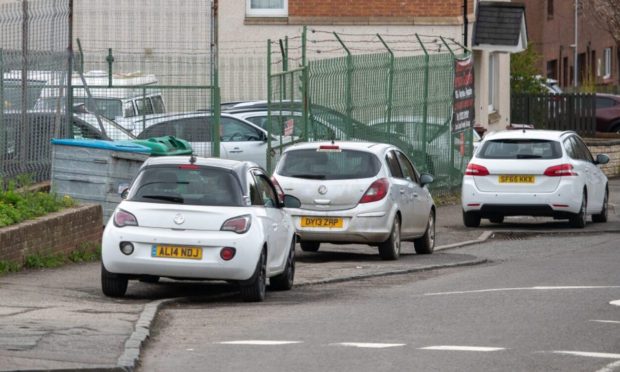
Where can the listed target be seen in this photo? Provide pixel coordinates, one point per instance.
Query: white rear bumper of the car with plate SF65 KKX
(560, 203)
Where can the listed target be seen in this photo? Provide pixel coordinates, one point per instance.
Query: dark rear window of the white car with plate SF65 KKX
(520, 149)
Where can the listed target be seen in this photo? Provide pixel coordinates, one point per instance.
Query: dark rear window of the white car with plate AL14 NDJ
(187, 184)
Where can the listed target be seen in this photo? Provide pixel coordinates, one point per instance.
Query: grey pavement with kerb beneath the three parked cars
(58, 319)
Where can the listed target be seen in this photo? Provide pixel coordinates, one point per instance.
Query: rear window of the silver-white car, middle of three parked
(329, 165)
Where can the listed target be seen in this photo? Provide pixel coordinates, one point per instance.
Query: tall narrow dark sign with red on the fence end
(463, 117)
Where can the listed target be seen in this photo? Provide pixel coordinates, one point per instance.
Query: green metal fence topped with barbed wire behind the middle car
(396, 89)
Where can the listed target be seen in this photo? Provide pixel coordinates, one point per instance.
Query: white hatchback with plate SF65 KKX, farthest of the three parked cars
(534, 173)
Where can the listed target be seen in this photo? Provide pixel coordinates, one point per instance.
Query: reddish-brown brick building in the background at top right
(551, 28)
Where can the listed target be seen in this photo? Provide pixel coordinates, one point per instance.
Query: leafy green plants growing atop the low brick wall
(18, 203)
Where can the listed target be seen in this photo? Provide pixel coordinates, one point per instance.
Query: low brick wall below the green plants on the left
(57, 232)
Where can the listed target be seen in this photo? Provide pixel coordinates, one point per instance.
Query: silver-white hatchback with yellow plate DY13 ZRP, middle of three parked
(355, 192)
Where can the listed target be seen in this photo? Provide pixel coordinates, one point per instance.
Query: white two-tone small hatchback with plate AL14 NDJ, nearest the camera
(197, 218)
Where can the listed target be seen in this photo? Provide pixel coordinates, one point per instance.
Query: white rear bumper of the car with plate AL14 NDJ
(211, 266)
